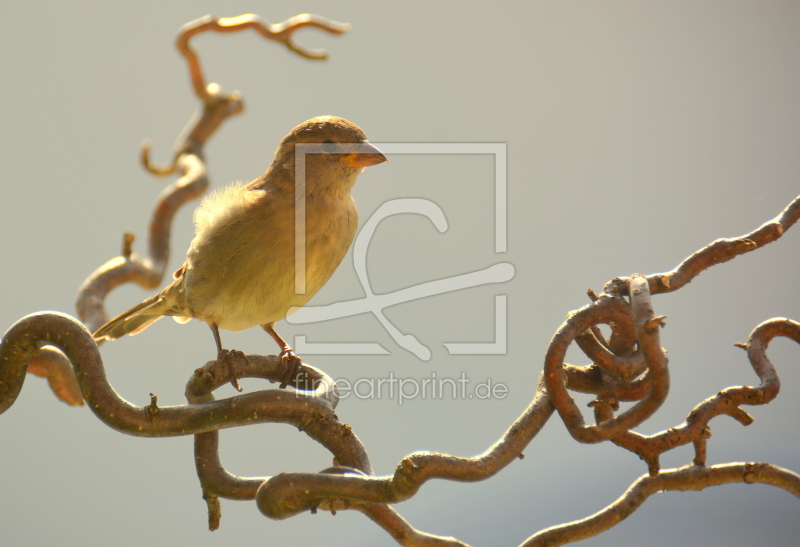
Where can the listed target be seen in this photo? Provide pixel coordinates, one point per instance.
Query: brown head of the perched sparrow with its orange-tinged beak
(326, 150)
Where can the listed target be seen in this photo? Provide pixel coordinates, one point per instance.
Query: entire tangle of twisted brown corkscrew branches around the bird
(630, 366)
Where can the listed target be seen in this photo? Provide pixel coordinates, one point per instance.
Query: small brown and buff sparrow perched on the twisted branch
(240, 267)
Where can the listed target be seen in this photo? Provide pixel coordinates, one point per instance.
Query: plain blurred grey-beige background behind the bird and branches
(636, 133)
